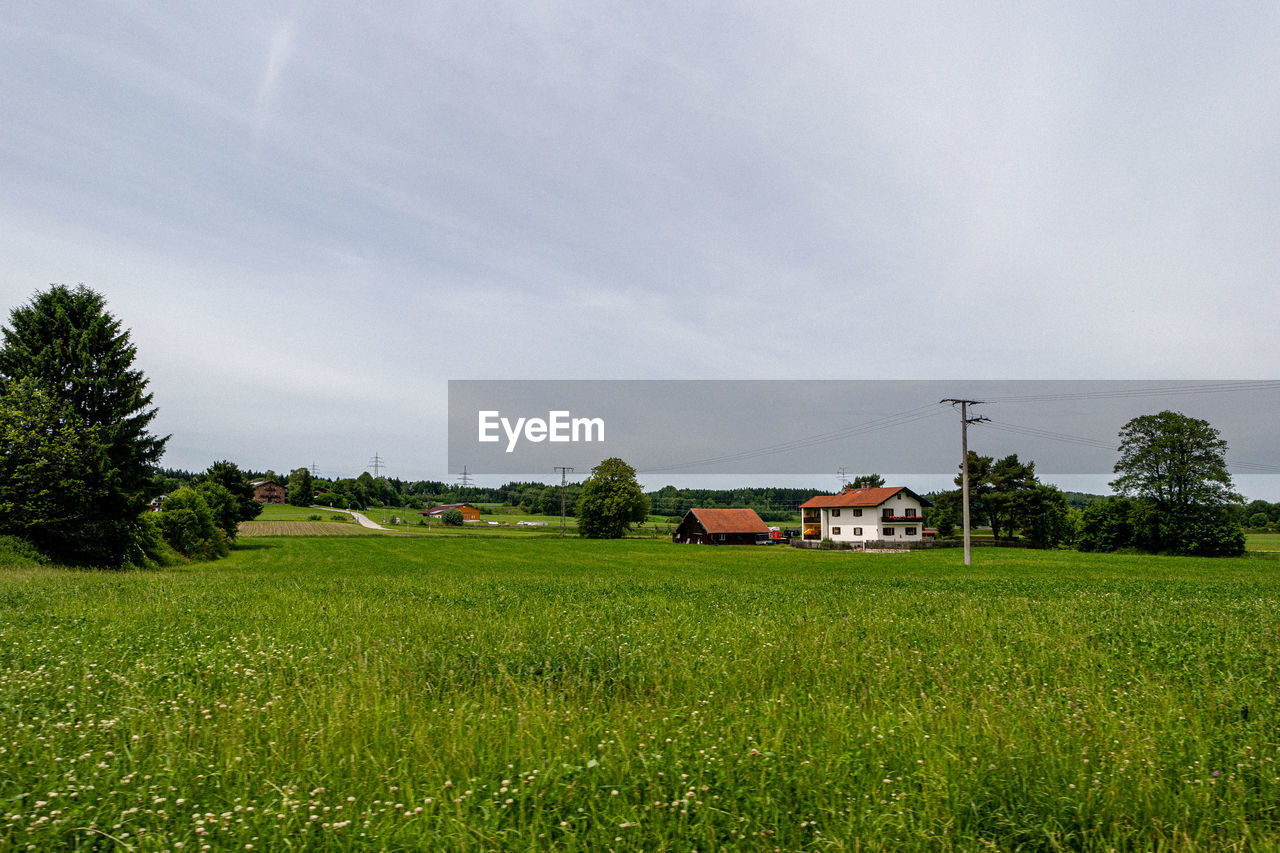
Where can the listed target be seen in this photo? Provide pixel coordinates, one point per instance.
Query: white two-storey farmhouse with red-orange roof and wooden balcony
(889, 514)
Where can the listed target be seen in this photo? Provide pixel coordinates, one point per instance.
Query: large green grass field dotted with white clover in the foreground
(501, 694)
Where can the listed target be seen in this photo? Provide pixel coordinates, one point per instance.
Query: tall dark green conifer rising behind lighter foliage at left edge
(75, 352)
